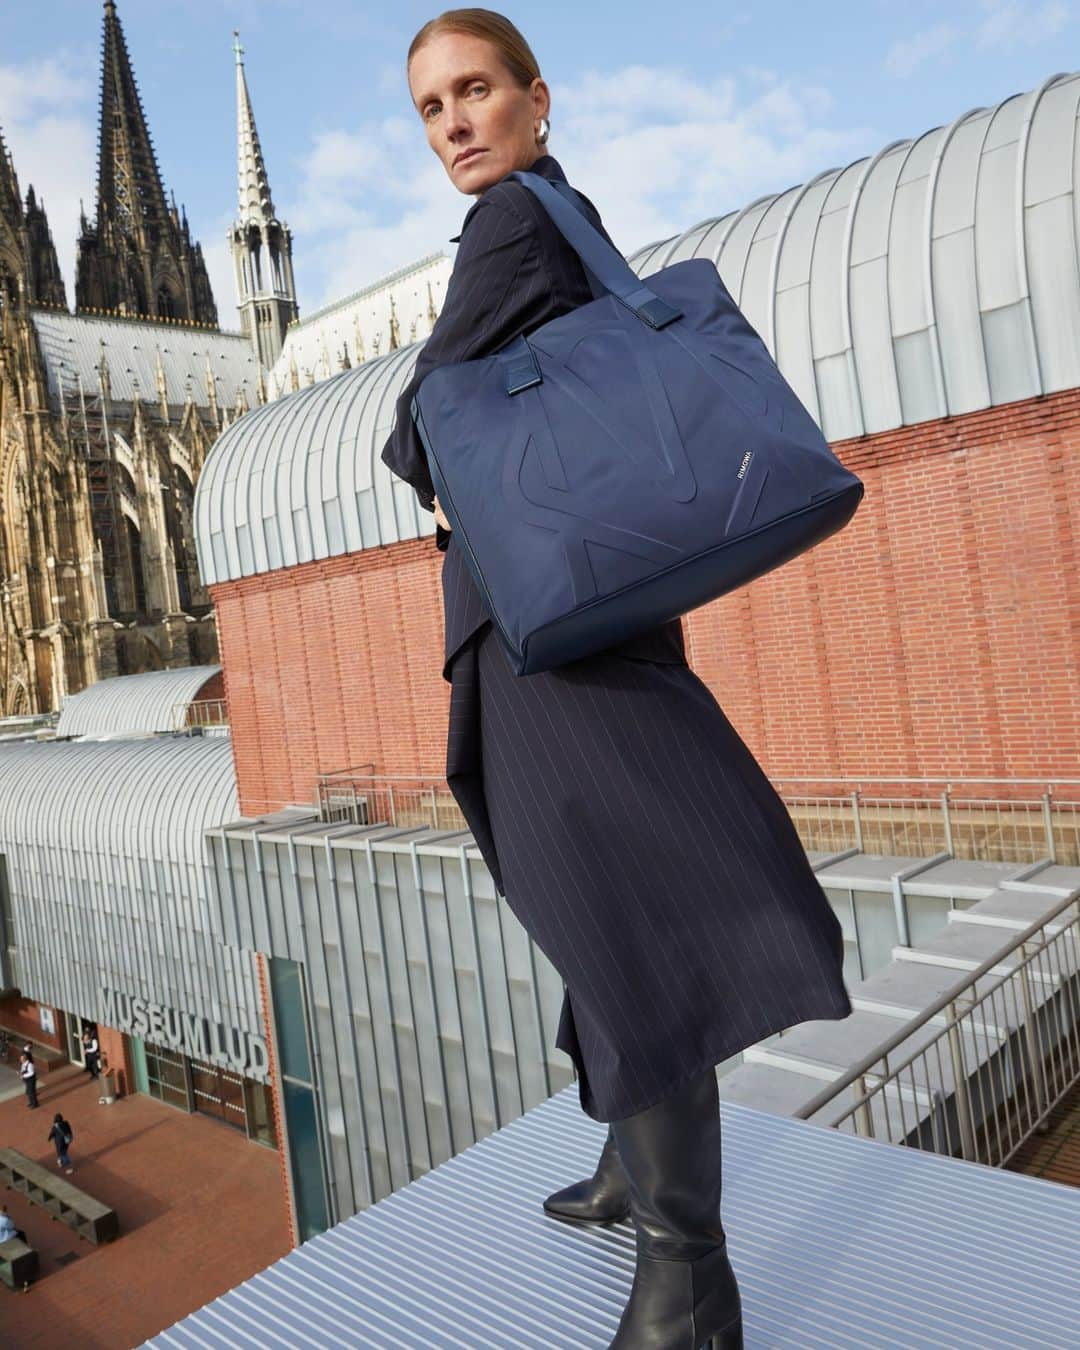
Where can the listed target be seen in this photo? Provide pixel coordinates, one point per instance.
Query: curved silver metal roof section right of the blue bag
(934, 279)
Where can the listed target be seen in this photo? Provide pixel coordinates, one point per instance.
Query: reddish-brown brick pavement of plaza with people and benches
(200, 1210)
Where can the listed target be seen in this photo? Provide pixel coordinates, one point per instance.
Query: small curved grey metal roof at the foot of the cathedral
(134, 704)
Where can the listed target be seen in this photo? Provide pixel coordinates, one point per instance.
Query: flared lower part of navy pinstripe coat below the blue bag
(645, 850)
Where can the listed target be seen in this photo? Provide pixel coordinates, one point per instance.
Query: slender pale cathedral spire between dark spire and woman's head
(263, 246)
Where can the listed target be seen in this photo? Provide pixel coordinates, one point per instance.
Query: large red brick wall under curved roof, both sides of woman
(938, 635)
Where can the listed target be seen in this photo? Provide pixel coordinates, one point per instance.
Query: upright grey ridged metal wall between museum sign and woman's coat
(433, 1015)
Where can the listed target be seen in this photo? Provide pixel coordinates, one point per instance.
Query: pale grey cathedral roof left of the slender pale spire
(72, 349)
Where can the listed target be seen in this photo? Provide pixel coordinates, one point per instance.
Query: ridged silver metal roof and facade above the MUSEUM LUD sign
(109, 878)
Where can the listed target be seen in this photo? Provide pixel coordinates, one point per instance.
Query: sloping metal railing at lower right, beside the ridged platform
(1006, 1051)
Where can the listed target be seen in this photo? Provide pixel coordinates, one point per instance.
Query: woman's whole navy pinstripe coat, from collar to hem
(626, 821)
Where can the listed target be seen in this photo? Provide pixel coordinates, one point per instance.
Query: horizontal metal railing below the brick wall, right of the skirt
(985, 820)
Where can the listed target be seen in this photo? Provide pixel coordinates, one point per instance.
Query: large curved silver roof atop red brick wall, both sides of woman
(934, 279)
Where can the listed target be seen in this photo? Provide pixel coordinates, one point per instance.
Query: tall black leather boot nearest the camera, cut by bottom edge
(685, 1295)
